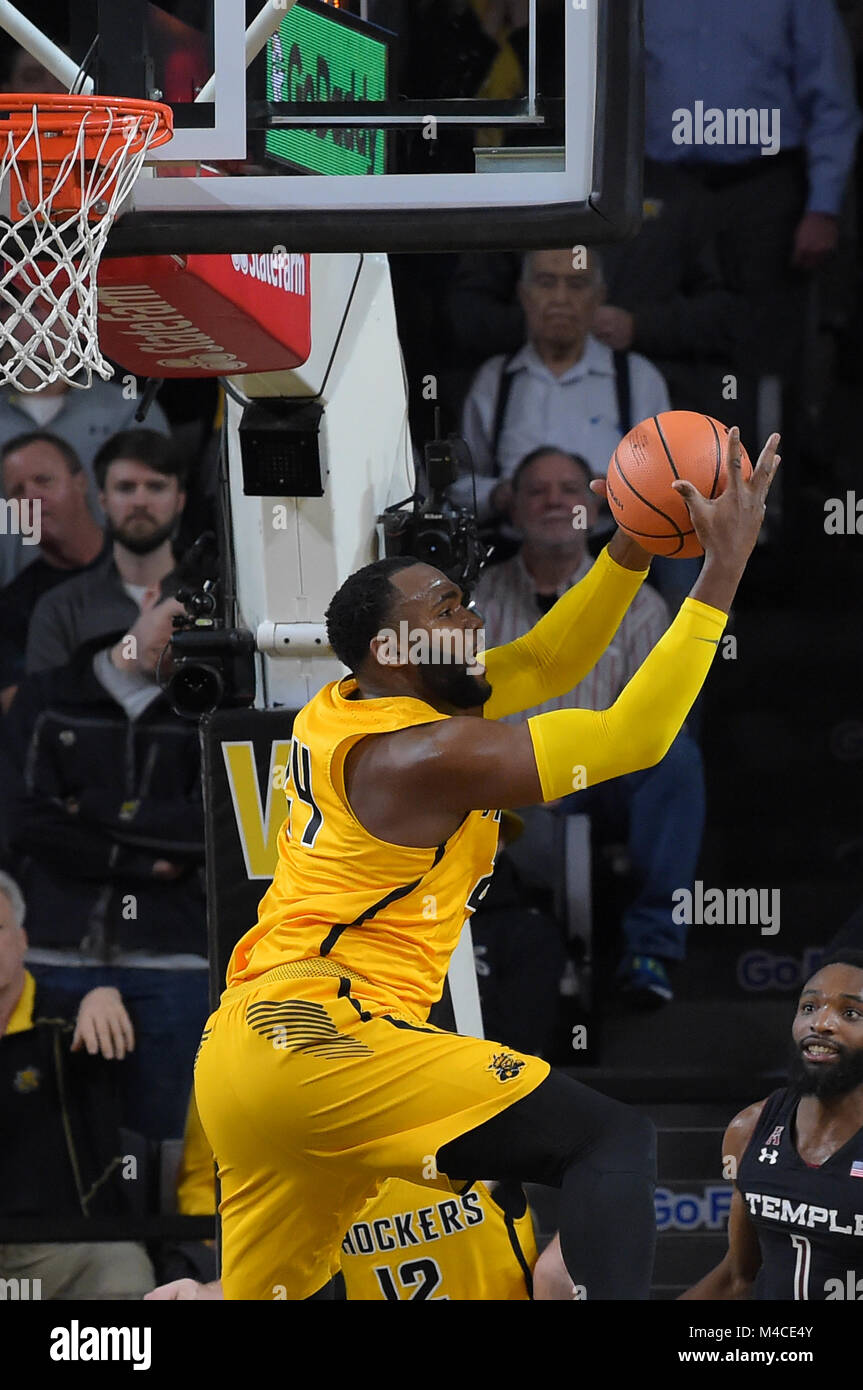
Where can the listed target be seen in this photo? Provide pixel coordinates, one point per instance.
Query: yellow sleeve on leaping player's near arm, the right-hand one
(579, 749)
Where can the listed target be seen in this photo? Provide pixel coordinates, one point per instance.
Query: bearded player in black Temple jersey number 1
(796, 1228)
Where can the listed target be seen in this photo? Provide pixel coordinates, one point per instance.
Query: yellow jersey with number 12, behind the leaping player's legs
(415, 1243)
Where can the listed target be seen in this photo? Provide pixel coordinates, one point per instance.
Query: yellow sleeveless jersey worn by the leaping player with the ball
(363, 908)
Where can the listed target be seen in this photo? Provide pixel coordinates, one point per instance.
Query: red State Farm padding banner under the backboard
(206, 316)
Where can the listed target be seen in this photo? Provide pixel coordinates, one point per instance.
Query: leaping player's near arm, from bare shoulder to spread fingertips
(466, 764)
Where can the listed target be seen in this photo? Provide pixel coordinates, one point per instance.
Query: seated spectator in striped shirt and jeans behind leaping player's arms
(661, 811)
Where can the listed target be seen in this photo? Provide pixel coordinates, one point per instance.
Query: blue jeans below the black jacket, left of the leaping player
(169, 1011)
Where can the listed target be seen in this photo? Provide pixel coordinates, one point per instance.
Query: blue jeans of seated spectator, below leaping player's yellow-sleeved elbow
(662, 812)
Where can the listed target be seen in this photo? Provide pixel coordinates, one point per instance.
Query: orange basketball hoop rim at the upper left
(67, 152)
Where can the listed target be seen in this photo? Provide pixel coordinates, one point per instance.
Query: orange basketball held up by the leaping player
(677, 444)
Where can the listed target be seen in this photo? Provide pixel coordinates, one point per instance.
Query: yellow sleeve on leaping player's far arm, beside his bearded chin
(566, 644)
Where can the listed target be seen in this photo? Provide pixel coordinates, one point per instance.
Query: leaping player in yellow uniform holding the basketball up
(319, 1077)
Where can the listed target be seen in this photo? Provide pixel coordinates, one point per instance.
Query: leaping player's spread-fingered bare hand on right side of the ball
(729, 526)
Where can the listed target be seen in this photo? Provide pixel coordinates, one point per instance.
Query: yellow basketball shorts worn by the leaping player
(309, 1100)
